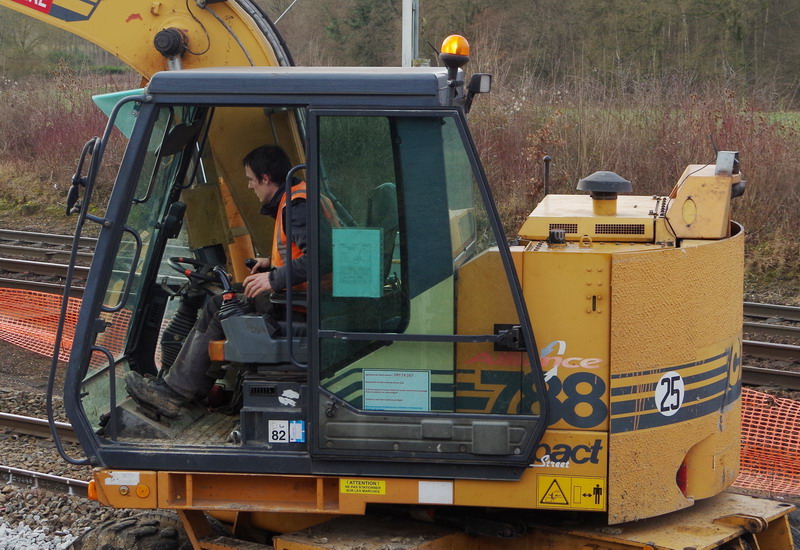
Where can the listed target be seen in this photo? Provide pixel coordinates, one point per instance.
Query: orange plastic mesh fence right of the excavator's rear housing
(770, 444)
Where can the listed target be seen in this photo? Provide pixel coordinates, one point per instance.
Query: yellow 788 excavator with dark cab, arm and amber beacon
(443, 388)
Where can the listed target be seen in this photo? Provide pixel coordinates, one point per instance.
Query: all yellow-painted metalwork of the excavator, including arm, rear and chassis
(643, 387)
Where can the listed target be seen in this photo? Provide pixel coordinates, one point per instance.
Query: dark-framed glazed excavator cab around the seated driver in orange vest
(413, 307)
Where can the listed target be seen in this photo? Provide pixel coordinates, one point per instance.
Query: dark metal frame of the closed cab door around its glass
(427, 457)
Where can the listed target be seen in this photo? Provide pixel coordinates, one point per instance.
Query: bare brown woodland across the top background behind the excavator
(752, 43)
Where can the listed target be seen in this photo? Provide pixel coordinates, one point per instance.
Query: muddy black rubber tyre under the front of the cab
(150, 530)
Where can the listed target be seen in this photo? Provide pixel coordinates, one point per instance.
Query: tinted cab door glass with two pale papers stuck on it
(412, 259)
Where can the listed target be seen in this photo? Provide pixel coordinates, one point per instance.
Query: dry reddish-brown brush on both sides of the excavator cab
(646, 131)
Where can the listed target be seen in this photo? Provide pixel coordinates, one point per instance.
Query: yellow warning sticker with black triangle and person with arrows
(585, 493)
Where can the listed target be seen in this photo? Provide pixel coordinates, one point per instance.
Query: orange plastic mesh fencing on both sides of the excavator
(770, 426)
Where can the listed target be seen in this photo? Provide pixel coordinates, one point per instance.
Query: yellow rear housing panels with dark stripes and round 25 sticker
(609, 340)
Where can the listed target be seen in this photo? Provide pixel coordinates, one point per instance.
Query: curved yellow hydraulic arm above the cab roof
(214, 33)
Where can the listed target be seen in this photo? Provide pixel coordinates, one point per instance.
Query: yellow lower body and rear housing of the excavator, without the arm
(644, 393)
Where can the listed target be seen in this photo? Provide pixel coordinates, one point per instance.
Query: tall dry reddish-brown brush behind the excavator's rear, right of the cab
(648, 133)
